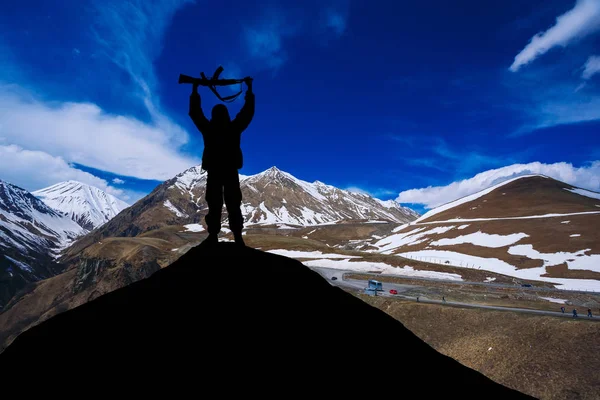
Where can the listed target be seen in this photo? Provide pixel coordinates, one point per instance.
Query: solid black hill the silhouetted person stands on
(238, 320)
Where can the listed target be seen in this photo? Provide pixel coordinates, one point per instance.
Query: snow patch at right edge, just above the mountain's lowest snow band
(577, 260)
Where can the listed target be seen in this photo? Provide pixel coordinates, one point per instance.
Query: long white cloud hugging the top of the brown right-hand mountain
(587, 177)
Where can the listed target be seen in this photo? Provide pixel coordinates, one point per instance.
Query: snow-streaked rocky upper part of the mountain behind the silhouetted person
(277, 197)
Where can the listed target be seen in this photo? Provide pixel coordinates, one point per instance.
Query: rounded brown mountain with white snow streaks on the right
(530, 227)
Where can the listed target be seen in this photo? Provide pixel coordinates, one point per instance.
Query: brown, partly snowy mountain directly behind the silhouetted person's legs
(270, 198)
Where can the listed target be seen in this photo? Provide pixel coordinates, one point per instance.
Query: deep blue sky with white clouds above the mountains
(417, 101)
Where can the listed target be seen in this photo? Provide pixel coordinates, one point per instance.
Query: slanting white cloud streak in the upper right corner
(575, 24)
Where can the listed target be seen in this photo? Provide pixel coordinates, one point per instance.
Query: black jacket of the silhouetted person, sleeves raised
(221, 136)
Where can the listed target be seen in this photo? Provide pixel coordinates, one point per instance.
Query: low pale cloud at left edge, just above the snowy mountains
(33, 170)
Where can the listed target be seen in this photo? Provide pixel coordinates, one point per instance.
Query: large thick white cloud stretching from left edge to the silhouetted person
(85, 134)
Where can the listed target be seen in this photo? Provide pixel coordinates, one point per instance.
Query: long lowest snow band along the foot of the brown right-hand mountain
(502, 267)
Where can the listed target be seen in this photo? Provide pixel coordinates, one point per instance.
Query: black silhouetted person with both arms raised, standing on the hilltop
(222, 157)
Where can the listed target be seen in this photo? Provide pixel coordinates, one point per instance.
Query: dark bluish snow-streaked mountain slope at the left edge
(30, 235)
